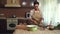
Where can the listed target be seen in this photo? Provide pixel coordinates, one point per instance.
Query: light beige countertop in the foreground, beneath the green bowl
(20, 31)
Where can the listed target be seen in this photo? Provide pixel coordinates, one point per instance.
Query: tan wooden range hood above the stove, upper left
(12, 3)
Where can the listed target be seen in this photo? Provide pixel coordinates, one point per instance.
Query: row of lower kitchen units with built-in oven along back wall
(7, 25)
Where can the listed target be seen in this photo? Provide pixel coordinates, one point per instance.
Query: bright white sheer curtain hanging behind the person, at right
(51, 11)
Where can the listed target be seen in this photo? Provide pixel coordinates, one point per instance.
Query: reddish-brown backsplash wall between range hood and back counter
(19, 12)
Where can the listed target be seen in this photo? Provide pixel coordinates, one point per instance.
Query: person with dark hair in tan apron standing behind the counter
(35, 14)
